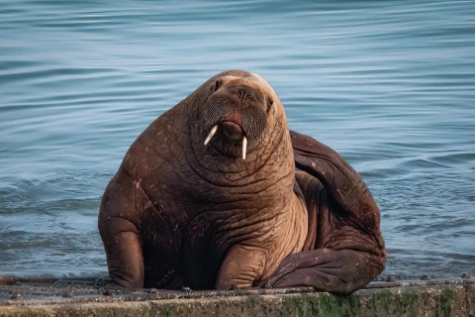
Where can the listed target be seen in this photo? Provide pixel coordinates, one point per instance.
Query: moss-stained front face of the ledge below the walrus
(434, 299)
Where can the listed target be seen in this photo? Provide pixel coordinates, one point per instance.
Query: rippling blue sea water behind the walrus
(388, 84)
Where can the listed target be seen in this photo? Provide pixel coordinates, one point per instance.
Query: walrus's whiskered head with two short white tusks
(238, 114)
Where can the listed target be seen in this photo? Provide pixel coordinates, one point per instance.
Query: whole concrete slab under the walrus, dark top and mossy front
(89, 297)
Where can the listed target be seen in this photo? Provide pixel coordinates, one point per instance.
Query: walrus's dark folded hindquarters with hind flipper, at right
(349, 248)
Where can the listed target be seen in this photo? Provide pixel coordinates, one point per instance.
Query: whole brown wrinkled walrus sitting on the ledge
(208, 197)
